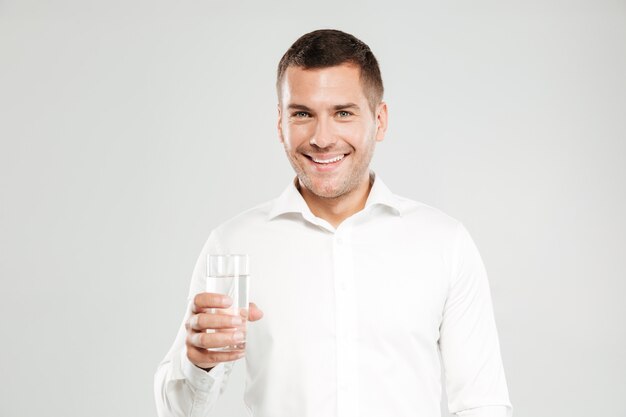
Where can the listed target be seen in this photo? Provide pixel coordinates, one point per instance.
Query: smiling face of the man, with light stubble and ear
(327, 128)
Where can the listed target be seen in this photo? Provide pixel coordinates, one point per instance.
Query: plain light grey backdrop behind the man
(128, 129)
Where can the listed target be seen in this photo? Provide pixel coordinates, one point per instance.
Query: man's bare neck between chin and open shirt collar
(336, 210)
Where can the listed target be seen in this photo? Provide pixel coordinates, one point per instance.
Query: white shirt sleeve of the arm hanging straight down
(470, 351)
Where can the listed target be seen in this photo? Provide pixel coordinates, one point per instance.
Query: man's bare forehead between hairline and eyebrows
(341, 82)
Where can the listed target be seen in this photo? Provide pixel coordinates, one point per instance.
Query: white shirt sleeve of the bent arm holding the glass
(180, 387)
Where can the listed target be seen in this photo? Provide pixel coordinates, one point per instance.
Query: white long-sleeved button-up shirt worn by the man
(354, 317)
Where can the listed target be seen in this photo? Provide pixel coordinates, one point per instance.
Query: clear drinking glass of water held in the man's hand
(230, 275)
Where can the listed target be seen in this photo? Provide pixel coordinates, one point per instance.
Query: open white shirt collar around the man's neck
(291, 201)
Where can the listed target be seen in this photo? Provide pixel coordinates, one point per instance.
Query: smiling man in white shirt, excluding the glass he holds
(361, 289)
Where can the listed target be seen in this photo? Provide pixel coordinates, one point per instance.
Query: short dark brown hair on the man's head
(327, 48)
